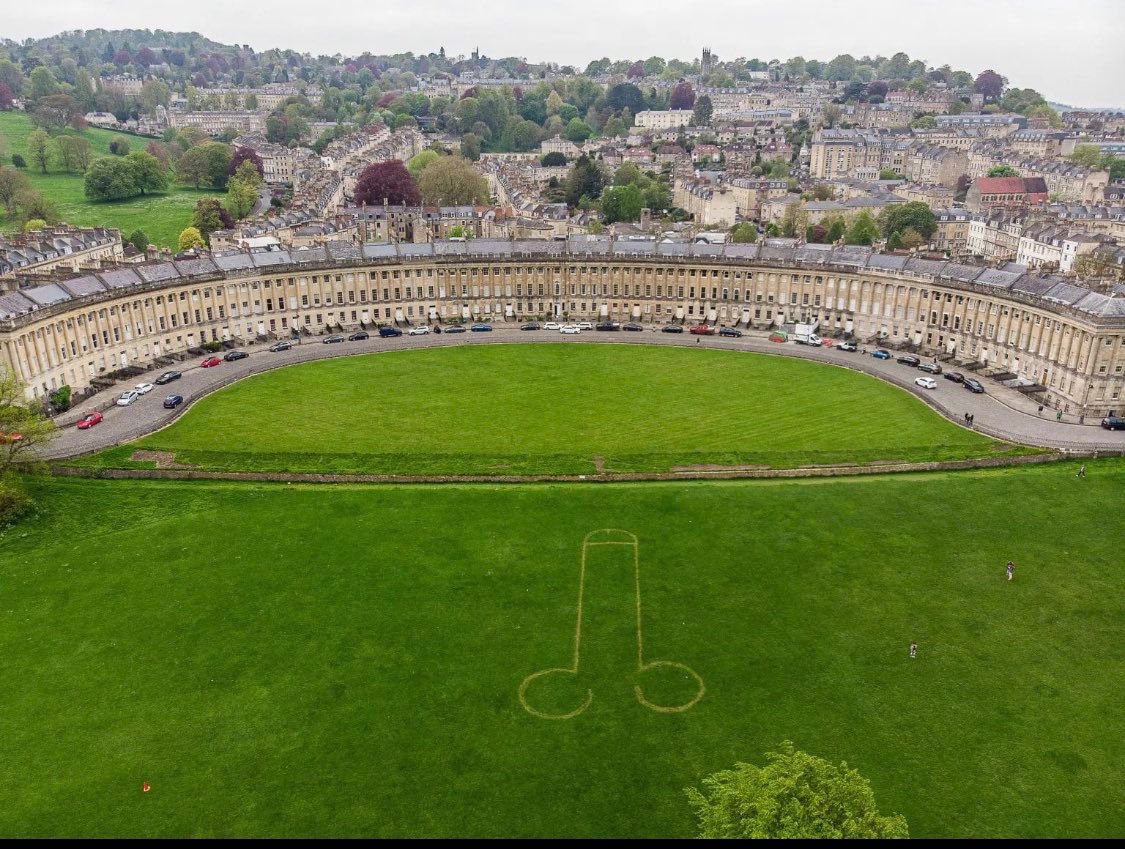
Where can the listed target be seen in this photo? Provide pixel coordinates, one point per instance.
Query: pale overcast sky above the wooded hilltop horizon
(1073, 51)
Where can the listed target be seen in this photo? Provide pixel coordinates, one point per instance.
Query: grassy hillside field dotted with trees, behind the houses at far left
(160, 216)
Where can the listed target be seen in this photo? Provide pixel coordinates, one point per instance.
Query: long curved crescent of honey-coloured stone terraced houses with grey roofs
(1043, 329)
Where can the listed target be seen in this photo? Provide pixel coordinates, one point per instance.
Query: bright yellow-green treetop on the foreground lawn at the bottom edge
(796, 796)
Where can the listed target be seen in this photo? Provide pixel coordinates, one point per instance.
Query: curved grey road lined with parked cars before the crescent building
(1002, 412)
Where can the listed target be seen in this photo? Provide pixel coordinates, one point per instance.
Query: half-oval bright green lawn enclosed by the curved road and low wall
(547, 409)
